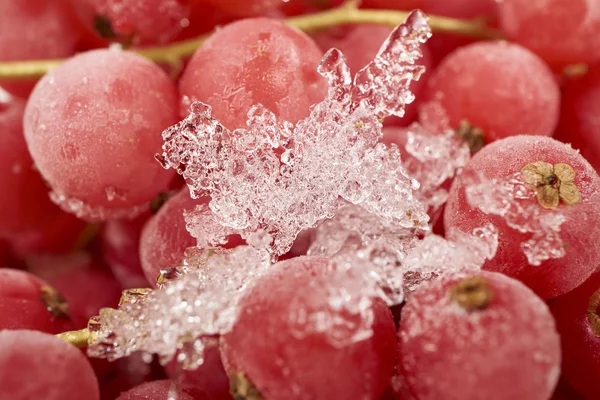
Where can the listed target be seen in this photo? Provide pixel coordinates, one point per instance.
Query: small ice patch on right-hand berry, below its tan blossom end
(514, 201)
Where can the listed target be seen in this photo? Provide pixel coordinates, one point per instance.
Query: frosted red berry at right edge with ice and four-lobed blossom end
(580, 232)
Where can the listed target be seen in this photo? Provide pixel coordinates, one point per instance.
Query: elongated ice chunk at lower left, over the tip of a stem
(180, 316)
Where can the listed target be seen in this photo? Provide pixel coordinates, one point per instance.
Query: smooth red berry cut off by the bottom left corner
(54, 369)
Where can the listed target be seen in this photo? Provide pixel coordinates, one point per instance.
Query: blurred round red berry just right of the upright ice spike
(501, 88)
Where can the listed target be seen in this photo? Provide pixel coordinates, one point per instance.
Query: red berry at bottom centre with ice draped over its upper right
(264, 353)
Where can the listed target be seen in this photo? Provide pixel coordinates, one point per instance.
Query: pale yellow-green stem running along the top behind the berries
(173, 53)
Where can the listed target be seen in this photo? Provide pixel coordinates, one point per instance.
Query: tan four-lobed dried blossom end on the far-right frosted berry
(552, 183)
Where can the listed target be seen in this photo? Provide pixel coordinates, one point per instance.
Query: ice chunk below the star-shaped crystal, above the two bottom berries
(391, 259)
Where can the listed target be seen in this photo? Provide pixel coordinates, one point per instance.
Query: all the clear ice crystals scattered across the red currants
(330, 173)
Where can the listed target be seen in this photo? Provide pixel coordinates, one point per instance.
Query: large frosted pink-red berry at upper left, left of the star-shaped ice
(93, 125)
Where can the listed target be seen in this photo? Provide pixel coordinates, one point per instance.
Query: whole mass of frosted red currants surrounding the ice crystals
(88, 211)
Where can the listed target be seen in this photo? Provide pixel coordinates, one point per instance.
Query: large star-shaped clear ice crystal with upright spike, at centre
(280, 178)
